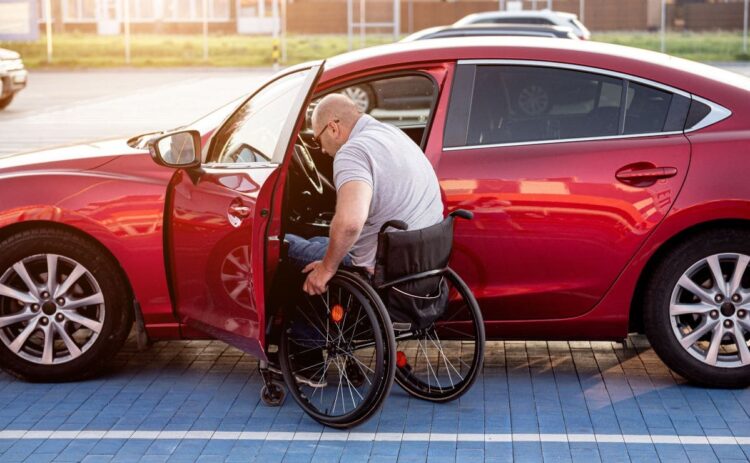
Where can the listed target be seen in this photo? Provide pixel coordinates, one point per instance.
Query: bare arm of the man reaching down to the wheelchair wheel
(352, 209)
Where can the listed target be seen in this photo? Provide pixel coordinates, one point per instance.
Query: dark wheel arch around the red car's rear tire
(635, 318)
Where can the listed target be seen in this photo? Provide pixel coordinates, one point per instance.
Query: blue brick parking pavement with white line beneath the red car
(186, 401)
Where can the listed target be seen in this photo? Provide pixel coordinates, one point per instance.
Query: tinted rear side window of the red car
(501, 104)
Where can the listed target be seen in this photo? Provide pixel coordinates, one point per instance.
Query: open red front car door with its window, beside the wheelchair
(217, 214)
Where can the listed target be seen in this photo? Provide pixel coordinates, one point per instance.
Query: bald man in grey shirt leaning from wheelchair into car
(380, 174)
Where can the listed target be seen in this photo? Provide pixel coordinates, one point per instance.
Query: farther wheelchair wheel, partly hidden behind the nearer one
(441, 363)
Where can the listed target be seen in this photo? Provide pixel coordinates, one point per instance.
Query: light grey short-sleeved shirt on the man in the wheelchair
(403, 182)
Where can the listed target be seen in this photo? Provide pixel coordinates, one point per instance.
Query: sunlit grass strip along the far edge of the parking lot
(74, 50)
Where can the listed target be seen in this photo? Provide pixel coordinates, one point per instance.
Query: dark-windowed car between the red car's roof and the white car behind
(493, 30)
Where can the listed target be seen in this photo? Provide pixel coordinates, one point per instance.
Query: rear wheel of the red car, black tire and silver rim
(697, 327)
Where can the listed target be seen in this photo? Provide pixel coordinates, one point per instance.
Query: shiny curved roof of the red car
(658, 67)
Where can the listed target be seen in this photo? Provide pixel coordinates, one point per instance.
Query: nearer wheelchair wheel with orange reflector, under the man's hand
(336, 356)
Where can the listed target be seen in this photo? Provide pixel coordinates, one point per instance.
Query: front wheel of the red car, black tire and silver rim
(59, 331)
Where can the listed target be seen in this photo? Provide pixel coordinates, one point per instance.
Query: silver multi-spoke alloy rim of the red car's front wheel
(51, 309)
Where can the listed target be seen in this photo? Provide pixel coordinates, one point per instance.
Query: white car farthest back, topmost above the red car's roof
(540, 17)
